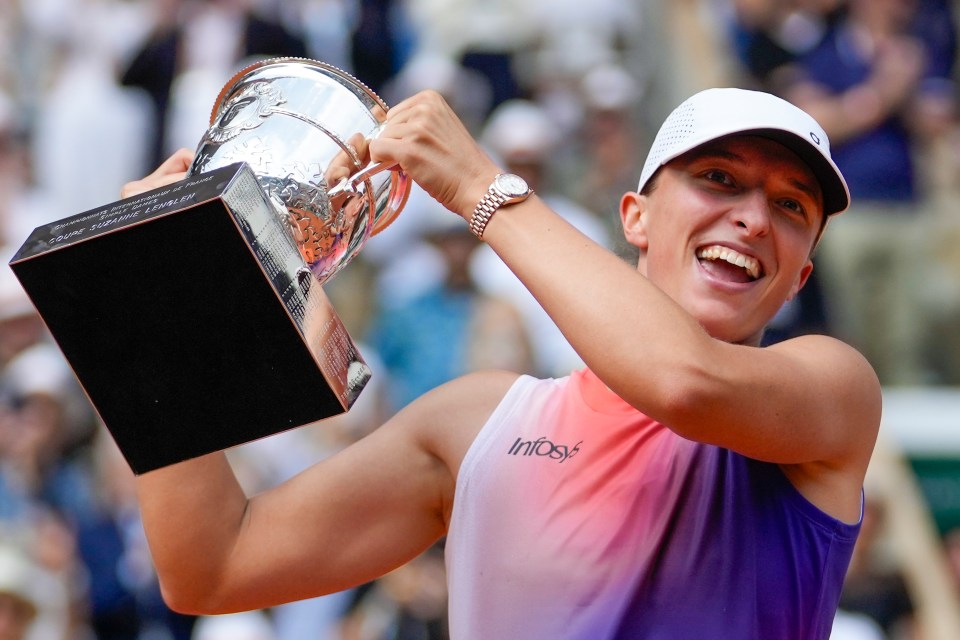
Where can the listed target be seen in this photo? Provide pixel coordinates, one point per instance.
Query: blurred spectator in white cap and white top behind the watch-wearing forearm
(522, 136)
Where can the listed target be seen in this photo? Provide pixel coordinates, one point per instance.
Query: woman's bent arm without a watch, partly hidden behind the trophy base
(347, 520)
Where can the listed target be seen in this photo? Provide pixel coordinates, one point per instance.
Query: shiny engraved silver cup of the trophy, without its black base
(303, 126)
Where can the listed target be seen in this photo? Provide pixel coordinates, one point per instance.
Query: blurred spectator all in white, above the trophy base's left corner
(78, 111)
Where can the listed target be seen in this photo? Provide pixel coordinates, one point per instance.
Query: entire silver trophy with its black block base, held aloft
(194, 315)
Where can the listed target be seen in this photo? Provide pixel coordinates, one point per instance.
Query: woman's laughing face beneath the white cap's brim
(727, 232)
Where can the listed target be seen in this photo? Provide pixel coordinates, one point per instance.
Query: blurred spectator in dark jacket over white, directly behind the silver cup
(209, 37)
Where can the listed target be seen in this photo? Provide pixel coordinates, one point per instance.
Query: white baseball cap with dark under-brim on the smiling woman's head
(715, 113)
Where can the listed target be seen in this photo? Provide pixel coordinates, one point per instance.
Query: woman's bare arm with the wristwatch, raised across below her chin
(812, 401)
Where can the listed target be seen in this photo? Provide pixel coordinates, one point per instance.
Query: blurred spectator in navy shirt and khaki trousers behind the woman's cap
(879, 83)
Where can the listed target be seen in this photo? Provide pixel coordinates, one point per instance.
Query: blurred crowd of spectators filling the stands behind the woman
(94, 93)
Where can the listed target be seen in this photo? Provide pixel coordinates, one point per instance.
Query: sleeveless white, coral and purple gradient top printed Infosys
(577, 517)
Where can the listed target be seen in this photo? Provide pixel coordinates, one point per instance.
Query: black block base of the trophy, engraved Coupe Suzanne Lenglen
(189, 320)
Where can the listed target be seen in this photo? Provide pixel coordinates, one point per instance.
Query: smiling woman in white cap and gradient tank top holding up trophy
(684, 484)
